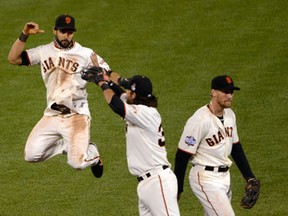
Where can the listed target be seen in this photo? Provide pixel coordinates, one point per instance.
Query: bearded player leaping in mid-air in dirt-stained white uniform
(65, 125)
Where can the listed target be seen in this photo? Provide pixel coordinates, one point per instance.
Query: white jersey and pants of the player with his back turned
(147, 157)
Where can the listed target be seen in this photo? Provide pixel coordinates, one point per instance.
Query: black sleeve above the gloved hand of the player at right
(241, 161)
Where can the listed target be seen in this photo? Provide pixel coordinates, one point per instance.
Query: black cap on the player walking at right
(223, 83)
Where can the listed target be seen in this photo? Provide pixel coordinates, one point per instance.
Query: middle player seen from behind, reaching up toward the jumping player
(145, 142)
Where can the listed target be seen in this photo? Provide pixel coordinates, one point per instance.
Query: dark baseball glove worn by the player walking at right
(251, 194)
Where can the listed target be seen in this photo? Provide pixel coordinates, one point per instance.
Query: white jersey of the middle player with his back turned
(145, 139)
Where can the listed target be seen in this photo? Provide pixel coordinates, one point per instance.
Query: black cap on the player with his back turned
(141, 85)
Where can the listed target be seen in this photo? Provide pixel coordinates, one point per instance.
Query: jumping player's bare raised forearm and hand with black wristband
(14, 56)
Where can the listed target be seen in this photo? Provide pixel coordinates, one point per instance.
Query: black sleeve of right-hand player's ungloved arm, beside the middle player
(181, 160)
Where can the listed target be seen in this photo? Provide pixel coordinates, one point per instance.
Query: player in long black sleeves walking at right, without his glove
(209, 137)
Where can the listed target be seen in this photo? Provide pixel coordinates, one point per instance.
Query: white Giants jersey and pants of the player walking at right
(210, 141)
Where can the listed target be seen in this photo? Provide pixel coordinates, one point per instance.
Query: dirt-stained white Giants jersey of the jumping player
(60, 69)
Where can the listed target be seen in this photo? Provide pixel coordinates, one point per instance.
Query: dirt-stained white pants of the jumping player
(45, 141)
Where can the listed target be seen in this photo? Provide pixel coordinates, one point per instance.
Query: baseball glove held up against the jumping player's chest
(93, 74)
